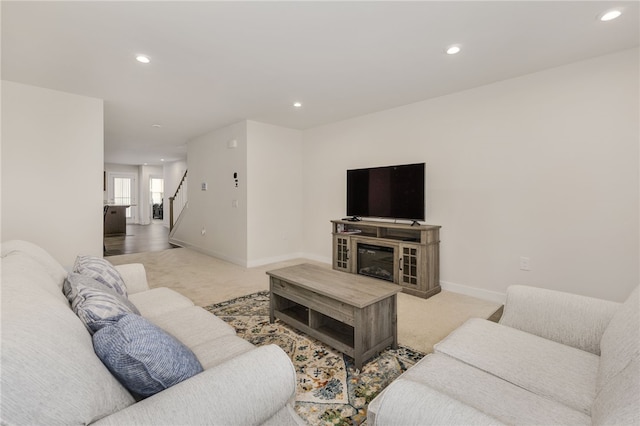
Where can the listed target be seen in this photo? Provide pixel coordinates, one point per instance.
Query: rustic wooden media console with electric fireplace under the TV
(399, 253)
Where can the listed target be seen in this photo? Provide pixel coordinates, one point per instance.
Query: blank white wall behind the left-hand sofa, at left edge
(52, 164)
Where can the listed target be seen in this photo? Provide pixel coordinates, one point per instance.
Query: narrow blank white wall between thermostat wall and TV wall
(274, 193)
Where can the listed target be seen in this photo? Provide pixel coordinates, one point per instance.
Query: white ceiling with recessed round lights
(216, 63)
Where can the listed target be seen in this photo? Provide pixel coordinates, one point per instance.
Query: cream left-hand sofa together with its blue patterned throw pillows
(51, 374)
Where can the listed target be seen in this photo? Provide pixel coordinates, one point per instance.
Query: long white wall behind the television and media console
(543, 166)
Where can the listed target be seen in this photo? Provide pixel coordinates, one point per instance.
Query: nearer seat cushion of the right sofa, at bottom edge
(490, 394)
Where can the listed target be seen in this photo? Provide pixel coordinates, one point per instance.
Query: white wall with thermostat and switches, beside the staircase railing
(211, 161)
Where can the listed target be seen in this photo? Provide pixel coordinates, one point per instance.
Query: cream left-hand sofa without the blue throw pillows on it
(51, 375)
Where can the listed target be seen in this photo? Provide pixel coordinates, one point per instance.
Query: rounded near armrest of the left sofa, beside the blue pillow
(245, 390)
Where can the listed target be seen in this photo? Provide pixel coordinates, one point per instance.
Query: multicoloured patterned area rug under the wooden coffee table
(330, 390)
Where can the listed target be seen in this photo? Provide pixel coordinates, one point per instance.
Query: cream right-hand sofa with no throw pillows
(554, 359)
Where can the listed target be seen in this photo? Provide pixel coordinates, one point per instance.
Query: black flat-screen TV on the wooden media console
(395, 192)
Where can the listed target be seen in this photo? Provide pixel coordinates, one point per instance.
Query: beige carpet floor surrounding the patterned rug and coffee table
(207, 280)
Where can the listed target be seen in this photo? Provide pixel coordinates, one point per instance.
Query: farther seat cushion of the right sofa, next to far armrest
(541, 366)
